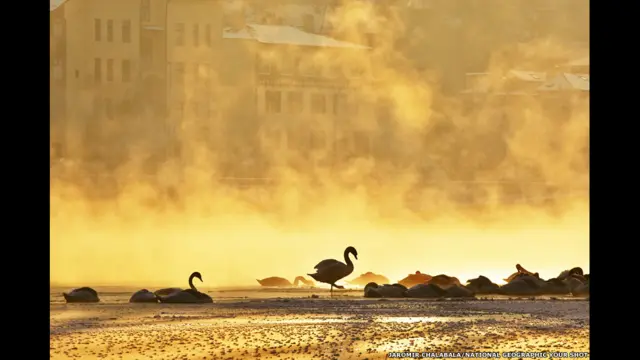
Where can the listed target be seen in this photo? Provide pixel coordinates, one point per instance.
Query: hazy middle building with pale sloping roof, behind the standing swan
(244, 89)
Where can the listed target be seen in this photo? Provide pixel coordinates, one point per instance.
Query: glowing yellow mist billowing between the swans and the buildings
(146, 235)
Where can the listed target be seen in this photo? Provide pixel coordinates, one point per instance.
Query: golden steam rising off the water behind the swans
(442, 184)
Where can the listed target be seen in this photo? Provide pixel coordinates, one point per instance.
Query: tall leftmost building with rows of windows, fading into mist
(107, 67)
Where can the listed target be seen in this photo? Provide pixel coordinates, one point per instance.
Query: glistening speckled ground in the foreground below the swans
(303, 328)
